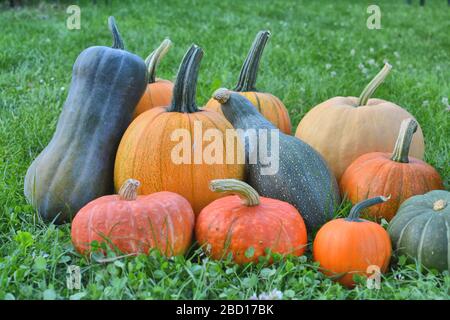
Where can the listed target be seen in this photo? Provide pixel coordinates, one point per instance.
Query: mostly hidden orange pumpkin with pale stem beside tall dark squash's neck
(159, 91)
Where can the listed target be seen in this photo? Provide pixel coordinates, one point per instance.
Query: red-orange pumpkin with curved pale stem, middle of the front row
(248, 226)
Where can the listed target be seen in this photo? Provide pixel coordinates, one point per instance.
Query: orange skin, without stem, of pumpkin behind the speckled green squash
(267, 104)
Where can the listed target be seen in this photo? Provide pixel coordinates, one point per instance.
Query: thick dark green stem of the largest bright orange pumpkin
(185, 86)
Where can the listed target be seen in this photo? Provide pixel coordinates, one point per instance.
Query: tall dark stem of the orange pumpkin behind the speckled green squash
(249, 70)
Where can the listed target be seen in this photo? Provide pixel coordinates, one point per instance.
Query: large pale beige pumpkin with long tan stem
(344, 128)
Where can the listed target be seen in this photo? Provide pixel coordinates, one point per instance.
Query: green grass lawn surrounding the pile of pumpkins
(307, 60)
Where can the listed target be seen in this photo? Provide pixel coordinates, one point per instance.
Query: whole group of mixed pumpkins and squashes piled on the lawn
(114, 133)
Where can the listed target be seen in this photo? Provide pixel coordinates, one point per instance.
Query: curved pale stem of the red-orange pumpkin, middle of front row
(249, 195)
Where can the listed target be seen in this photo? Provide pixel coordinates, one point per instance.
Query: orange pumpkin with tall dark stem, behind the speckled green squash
(267, 104)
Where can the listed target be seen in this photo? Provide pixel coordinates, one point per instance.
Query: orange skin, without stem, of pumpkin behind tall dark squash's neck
(157, 94)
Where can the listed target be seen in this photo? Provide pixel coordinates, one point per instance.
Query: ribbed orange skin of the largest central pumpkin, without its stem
(145, 154)
